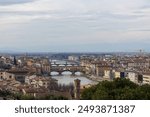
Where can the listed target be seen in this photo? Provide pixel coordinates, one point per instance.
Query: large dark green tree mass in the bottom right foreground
(119, 89)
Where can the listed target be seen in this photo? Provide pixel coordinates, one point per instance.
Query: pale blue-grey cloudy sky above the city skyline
(74, 25)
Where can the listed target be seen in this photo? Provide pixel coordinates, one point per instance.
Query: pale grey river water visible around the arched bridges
(66, 77)
